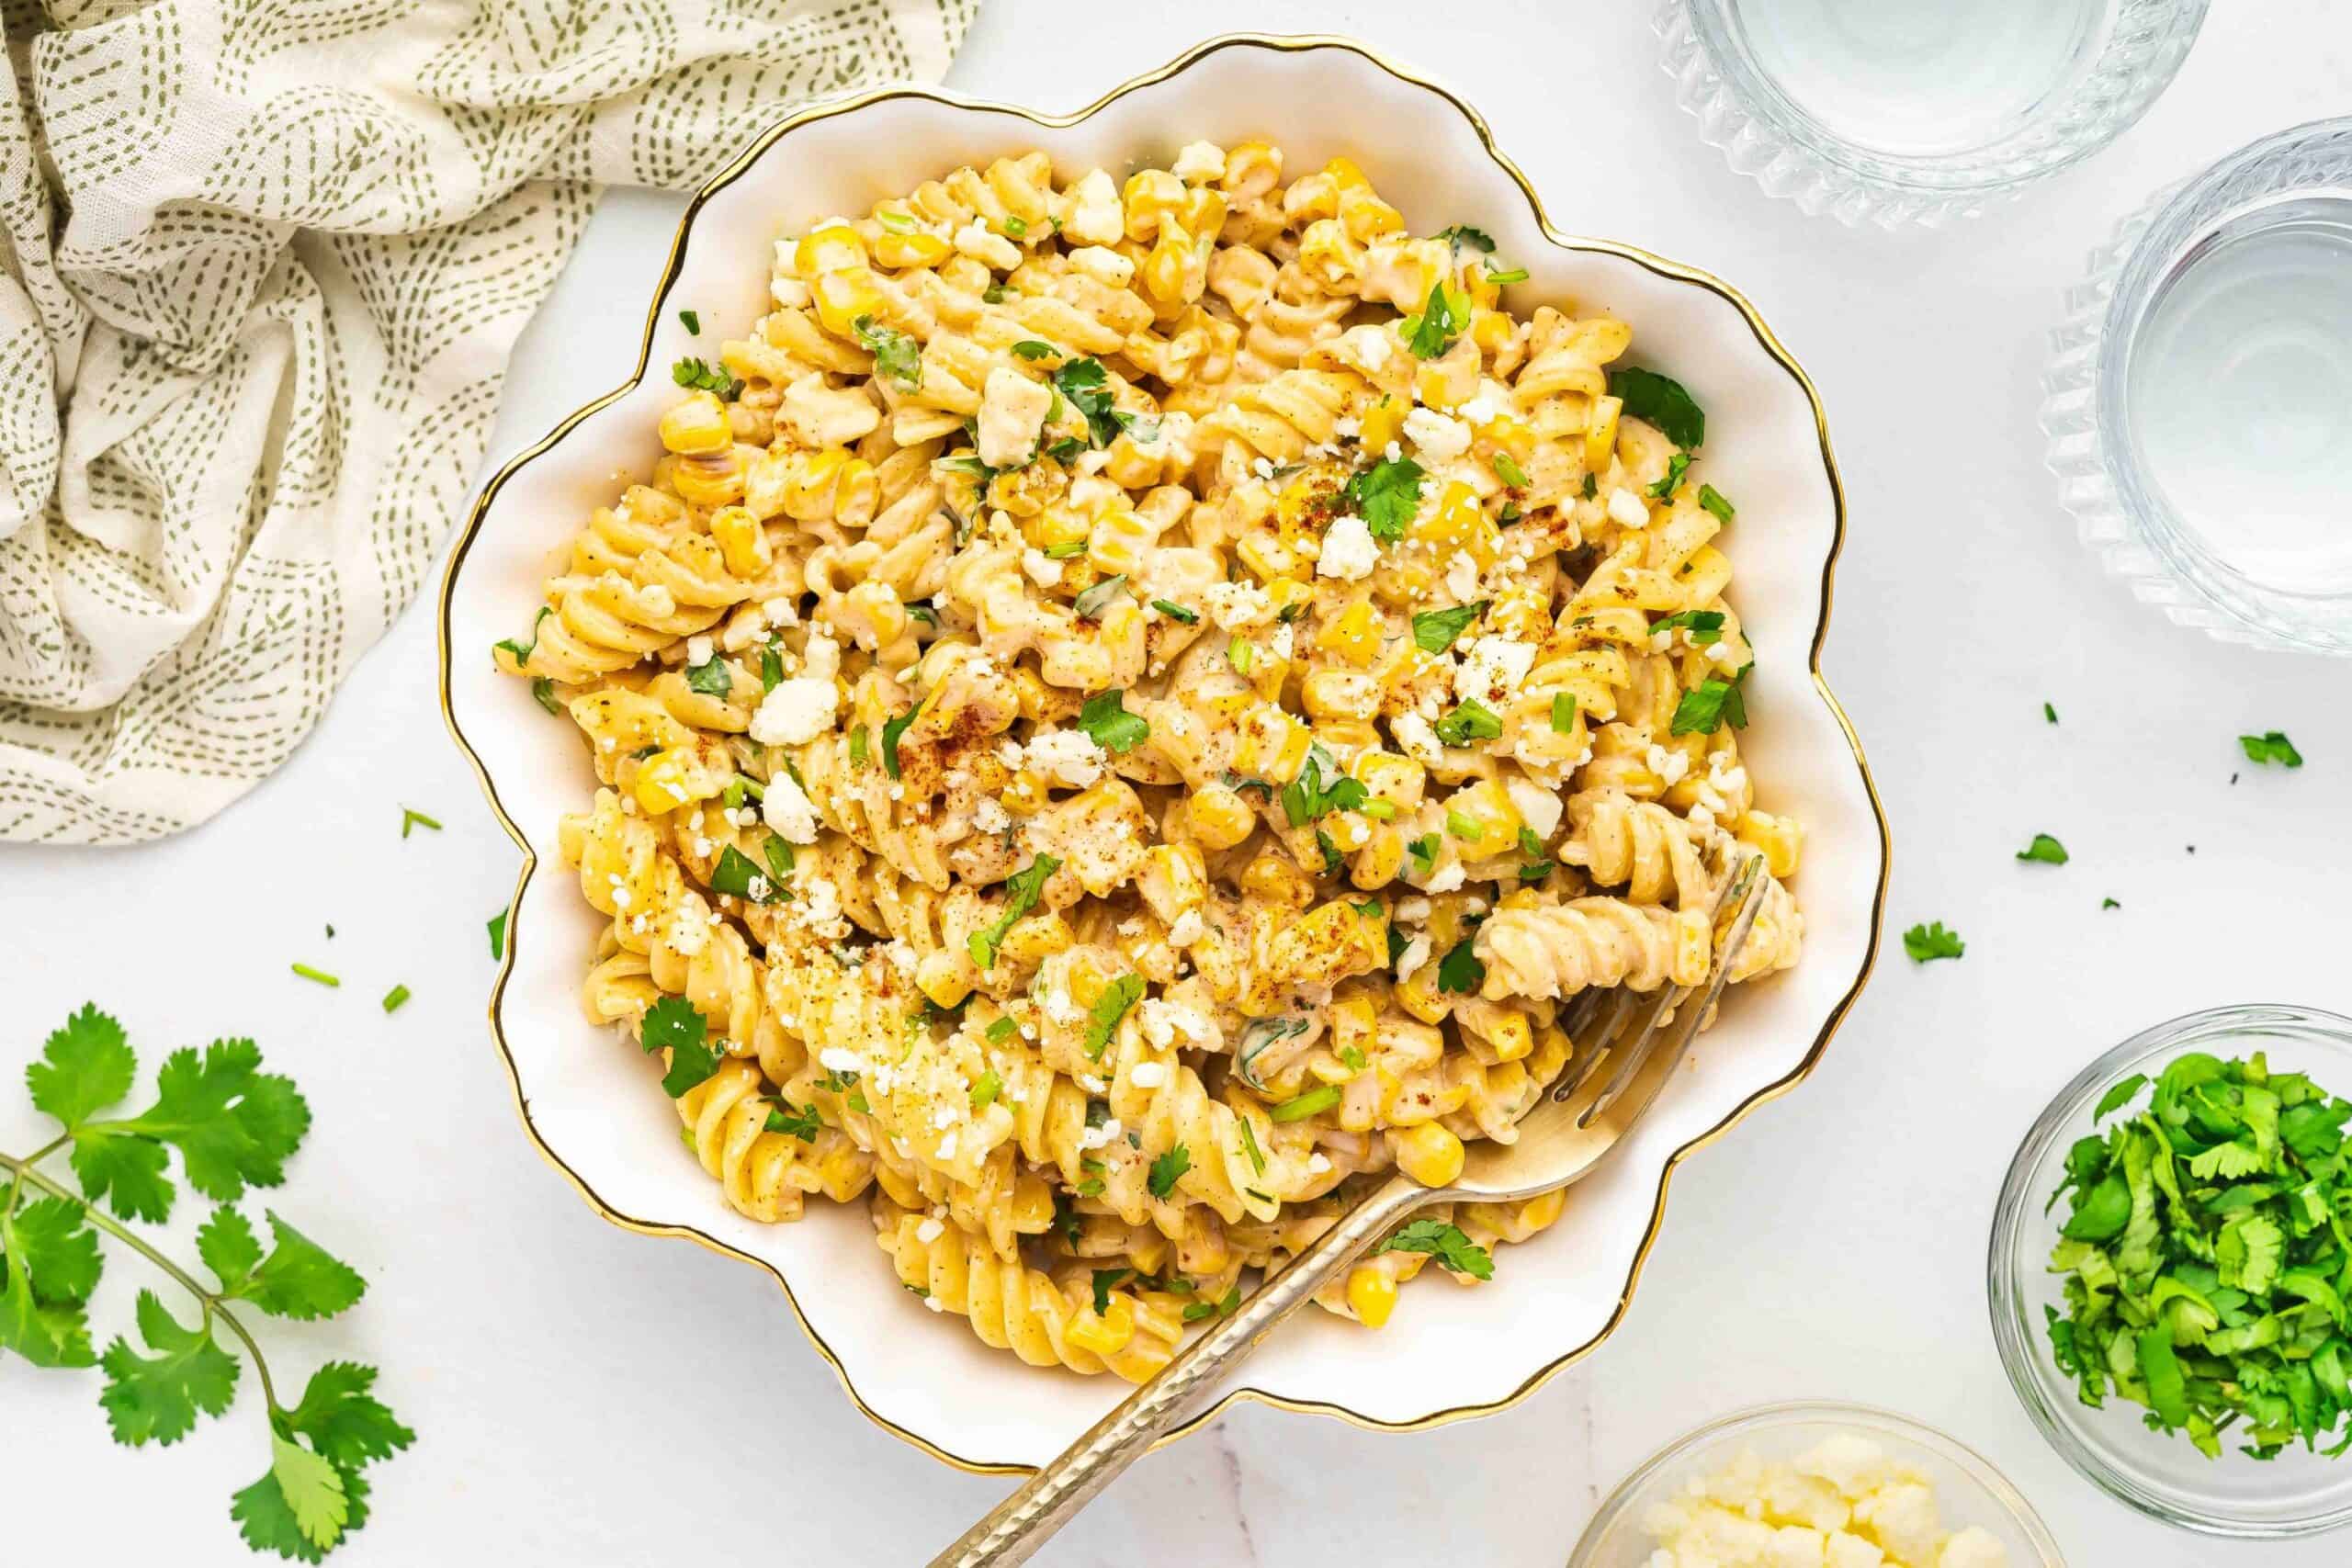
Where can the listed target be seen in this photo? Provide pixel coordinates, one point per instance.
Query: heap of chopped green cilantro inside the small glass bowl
(2205, 1252)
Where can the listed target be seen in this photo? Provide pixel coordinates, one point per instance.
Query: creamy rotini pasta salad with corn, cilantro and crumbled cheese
(1130, 706)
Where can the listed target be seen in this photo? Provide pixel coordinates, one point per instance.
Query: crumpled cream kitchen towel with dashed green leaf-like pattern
(260, 272)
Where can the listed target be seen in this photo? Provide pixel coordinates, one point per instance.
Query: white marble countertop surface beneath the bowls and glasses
(592, 1398)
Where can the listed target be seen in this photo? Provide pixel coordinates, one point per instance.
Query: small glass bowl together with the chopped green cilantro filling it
(2087, 1188)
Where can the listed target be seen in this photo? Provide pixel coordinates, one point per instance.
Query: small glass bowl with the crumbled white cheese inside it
(1817, 1487)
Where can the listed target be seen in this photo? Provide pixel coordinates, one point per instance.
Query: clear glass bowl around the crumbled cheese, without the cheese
(1970, 1492)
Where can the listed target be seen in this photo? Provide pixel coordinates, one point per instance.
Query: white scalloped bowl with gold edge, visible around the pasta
(594, 1108)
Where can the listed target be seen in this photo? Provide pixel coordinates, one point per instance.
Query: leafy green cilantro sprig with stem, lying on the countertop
(234, 1127)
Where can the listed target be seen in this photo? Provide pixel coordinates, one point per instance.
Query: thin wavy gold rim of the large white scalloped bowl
(1299, 43)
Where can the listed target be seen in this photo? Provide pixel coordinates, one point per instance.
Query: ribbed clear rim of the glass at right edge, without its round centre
(2104, 476)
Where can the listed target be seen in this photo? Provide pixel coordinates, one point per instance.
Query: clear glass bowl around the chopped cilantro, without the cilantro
(2163, 1475)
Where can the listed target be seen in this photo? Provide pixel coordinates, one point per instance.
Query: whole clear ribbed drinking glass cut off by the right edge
(2200, 396)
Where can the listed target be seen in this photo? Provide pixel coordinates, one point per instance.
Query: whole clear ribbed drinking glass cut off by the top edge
(1918, 112)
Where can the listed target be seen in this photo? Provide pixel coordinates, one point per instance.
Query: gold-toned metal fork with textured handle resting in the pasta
(1563, 1139)
